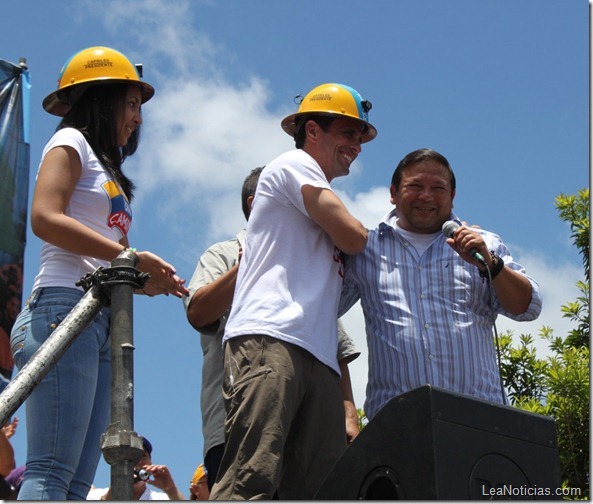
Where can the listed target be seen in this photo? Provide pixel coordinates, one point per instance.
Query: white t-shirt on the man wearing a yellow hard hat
(290, 275)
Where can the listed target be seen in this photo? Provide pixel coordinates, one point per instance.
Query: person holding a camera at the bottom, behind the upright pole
(160, 477)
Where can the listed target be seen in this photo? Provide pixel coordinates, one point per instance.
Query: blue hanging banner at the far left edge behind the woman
(15, 91)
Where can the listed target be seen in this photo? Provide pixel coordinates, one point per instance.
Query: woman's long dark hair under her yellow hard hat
(95, 114)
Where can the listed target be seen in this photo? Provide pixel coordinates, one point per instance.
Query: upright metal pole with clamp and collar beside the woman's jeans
(121, 446)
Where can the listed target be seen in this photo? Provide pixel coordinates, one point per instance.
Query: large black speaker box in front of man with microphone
(433, 444)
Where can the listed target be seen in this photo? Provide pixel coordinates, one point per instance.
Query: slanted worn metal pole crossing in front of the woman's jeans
(48, 354)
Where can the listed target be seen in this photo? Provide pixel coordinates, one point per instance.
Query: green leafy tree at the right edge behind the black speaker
(558, 385)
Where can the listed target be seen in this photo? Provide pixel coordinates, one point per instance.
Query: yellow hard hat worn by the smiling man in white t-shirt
(333, 100)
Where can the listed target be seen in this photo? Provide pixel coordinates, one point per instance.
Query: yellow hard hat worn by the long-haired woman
(92, 66)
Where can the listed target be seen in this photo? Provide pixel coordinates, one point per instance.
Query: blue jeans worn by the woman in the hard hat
(69, 410)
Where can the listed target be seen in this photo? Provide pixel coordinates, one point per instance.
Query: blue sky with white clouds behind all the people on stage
(500, 87)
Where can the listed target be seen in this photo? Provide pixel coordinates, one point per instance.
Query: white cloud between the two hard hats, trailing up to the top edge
(203, 133)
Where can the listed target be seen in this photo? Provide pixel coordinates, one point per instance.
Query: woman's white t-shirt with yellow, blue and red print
(98, 202)
